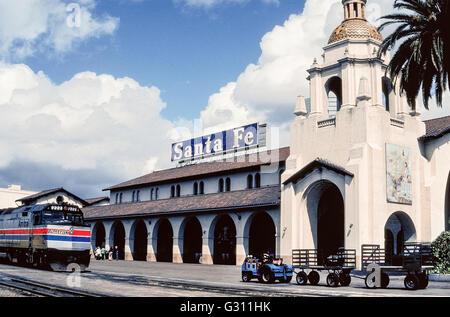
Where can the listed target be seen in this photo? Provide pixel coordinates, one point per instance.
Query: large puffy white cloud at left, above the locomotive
(91, 122)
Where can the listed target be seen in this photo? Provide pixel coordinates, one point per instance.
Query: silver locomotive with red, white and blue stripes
(48, 234)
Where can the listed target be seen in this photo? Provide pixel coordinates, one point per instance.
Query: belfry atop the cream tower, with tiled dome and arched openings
(350, 60)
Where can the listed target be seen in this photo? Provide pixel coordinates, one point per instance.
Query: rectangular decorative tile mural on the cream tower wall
(398, 174)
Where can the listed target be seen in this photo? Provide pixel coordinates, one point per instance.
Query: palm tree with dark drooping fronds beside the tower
(423, 56)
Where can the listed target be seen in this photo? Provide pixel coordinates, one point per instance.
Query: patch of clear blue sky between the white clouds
(188, 52)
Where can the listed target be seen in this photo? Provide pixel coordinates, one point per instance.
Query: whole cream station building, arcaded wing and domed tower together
(362, 168)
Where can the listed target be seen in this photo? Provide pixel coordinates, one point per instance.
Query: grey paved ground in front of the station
(123, 278)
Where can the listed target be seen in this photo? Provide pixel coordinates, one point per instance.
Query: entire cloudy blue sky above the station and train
(93, 92)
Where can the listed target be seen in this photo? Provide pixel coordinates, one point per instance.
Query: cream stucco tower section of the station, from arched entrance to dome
(370, 171)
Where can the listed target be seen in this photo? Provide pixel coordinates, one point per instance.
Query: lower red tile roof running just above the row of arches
(251, 198)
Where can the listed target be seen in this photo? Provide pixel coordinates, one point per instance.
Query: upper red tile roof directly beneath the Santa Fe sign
(207, 169)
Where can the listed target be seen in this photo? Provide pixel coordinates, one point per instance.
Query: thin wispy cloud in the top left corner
(27, 26)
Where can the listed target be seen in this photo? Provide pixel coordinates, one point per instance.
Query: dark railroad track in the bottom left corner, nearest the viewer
(44, 290)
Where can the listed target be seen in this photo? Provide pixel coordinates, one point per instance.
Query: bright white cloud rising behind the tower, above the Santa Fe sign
(267, 90)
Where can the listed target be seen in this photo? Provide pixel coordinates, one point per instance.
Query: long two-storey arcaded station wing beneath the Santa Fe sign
(212, 213)
